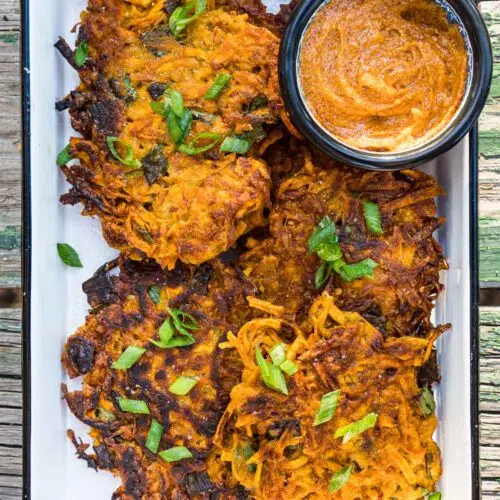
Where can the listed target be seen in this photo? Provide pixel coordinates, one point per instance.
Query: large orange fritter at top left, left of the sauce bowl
(171, 205)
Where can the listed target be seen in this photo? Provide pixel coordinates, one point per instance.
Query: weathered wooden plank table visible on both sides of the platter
(10, 265)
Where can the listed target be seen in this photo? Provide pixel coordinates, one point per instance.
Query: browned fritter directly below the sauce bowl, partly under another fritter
(399, 297)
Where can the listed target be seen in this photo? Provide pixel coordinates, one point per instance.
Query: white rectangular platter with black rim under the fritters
(56, 306)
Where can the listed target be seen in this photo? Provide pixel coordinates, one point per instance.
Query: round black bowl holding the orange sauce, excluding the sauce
(480, 71)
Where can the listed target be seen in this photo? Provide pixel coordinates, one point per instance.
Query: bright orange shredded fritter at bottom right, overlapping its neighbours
(269, 439)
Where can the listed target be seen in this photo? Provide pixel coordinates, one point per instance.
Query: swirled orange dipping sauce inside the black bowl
(383, 75)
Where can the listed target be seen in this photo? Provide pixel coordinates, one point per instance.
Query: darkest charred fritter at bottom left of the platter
(125, 314)
